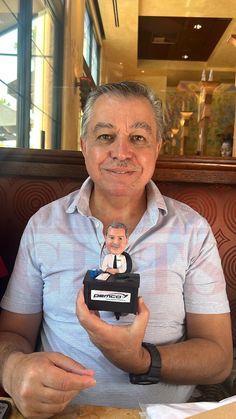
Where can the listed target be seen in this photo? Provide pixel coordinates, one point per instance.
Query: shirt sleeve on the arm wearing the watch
(204, 287)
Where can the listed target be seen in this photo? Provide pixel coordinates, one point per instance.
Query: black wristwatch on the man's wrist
(154, 373)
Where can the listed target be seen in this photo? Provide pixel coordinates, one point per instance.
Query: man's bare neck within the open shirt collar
(123, 209)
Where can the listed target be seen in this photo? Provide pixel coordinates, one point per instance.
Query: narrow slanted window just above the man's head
(91, 48)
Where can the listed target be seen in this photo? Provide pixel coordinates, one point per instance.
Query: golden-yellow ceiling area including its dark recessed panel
(129, 51)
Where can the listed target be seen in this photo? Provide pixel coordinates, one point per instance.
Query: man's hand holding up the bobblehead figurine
(121, 344)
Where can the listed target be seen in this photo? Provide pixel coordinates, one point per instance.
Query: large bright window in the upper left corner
(30, 73)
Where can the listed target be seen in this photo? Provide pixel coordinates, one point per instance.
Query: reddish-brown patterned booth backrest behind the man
(31, 179)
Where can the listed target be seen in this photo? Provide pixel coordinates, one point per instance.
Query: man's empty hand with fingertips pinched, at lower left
(42, 384)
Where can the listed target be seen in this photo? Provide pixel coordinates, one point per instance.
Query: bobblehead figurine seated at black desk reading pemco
(113, 287)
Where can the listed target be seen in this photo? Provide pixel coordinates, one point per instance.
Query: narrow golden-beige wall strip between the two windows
(73, 67)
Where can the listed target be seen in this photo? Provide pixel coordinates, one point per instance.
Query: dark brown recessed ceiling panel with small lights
(179, 38)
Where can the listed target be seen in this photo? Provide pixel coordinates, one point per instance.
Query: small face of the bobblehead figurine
(116, 240)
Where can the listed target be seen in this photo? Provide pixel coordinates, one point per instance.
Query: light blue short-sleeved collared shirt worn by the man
(172, 248)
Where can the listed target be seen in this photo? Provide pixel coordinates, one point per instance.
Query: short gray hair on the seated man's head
(125, 89)
